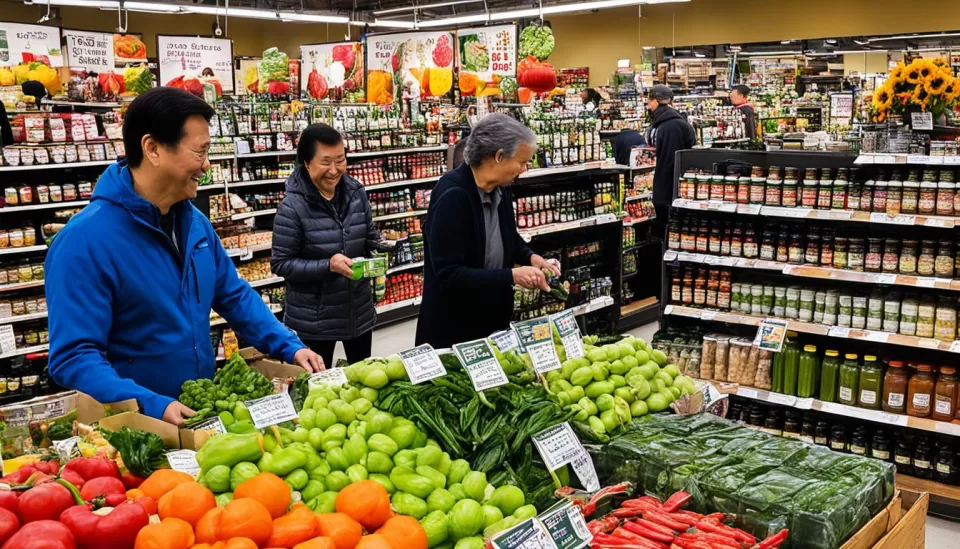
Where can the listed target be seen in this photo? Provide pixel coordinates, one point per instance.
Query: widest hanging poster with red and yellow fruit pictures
(412, 65)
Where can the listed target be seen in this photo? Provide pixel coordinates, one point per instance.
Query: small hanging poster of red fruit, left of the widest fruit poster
(330, 71)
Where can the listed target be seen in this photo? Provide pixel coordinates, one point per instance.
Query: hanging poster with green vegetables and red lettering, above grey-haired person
(484, 55)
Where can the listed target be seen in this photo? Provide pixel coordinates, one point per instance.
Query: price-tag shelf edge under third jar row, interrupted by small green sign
(816, 329)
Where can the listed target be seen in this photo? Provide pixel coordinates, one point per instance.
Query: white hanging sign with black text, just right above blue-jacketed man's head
(193, 57)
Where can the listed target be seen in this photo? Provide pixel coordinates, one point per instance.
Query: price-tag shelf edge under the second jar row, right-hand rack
(812, 271)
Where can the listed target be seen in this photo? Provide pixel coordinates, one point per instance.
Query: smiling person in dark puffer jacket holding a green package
(322, 223)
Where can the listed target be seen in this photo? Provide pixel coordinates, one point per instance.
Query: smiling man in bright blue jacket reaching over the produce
(132, 278)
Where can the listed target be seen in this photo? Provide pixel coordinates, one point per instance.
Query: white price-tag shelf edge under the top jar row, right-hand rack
(939, 221)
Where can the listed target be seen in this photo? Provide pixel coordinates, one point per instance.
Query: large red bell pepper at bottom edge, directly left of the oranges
(117, 529)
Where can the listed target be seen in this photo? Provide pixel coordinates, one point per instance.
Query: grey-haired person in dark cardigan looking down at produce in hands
(471, 242)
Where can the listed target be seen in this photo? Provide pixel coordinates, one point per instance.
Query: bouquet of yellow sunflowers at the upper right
(927, 84)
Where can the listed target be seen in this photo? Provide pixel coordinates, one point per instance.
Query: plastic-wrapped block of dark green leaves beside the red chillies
(773, 482)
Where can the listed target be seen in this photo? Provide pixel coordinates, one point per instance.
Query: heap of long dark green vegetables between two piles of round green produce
(492, 430)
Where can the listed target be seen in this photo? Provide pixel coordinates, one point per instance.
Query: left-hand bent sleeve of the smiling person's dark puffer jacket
(285, 258)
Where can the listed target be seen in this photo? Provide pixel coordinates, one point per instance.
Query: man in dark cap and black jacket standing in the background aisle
(669, 133)
